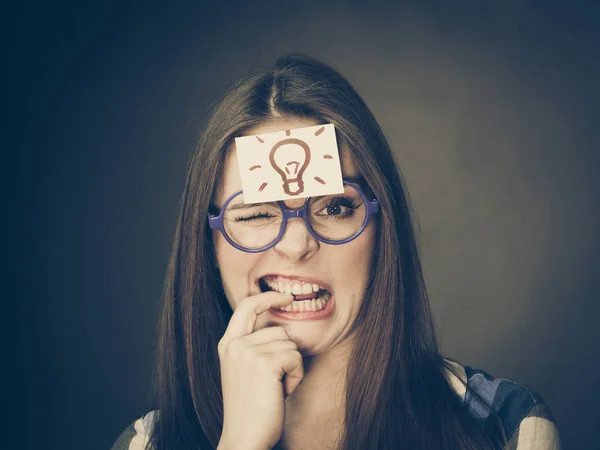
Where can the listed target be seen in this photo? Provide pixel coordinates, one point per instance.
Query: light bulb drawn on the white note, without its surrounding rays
(290, 158)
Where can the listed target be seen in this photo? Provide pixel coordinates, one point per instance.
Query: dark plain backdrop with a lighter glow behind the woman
(491, 107)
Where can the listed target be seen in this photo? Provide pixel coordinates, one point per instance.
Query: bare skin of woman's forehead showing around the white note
(231, 181)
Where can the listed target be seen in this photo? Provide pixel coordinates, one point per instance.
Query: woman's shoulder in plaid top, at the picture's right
(525, 416)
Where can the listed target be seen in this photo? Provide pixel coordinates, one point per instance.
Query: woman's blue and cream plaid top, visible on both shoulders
(526, 418)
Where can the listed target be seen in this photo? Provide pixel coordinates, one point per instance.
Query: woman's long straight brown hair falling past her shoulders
(397, 394)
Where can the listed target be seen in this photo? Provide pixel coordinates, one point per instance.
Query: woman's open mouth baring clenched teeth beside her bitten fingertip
(307, 296)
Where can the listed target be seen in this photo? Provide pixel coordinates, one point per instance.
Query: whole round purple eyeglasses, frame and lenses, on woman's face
(332, 219)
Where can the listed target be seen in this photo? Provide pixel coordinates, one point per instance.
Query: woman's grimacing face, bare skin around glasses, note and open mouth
(298, 258)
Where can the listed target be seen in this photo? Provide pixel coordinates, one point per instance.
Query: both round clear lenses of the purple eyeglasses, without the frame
(333, 217)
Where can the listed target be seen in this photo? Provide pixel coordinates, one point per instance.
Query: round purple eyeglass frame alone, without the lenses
(216, 222)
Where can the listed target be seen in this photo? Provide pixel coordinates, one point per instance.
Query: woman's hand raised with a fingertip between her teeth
(258, 370)
